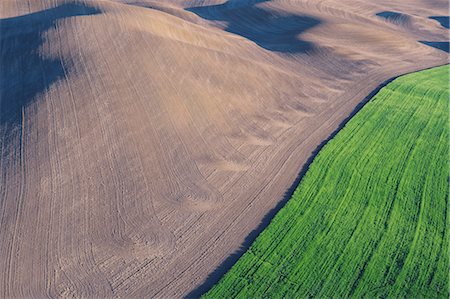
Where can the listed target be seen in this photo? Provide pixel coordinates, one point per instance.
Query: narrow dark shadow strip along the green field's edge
(228, 263)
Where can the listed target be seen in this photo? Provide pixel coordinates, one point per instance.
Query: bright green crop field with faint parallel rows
(369, 219)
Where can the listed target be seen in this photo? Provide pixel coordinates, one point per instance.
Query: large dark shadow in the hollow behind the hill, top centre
(271, 30)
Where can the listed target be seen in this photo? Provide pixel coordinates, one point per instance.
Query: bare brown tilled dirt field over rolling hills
(142, 141)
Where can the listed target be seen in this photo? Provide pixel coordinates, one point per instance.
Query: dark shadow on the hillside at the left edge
(24, 73)
